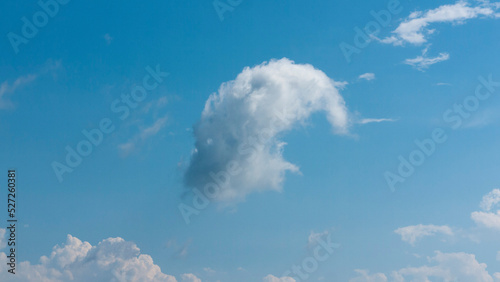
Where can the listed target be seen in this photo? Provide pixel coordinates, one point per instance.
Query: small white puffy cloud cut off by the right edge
(487, 218)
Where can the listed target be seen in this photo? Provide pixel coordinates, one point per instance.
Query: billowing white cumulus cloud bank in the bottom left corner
(113, 259)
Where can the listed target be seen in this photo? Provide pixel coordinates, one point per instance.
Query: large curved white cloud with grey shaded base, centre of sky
(240, 126)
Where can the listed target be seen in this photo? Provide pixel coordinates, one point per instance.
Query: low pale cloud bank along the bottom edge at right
(445, 267)
